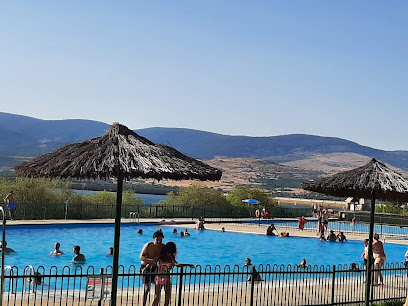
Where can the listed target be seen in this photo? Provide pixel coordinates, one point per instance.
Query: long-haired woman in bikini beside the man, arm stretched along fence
(167, 261)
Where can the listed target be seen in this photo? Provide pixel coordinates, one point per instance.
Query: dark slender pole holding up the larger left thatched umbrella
(115, 265)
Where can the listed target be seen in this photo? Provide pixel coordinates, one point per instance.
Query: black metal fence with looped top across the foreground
(229, 285)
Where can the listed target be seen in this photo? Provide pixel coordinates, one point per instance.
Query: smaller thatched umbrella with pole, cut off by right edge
(373, 181)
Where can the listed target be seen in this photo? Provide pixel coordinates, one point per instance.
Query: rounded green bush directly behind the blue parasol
(244, 192)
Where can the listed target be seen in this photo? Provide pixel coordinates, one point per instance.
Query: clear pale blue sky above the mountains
(258, 68)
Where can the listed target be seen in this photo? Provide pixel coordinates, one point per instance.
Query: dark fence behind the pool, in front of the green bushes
(105, 211)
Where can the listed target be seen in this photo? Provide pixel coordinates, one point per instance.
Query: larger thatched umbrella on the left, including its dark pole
(122, 154)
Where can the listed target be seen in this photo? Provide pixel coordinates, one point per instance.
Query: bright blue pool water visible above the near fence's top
(33, 243)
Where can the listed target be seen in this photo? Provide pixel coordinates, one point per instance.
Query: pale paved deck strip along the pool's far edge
(212, 224)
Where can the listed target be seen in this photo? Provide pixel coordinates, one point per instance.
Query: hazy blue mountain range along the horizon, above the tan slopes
(23, 137)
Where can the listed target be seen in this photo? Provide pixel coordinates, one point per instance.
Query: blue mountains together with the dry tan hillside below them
(272, 161)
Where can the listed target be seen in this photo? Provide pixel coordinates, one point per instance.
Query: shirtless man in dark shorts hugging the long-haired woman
(149, 257)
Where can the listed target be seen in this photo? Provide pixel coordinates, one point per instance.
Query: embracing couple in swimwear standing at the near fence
(157, 259)
